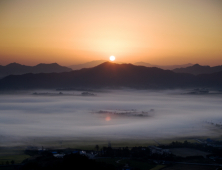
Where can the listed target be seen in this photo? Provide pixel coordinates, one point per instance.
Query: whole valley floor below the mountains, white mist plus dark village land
(110, 129)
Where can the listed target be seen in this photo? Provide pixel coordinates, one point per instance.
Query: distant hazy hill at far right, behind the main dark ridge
(198, 69)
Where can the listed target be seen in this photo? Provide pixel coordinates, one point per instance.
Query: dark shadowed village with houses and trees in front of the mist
(203, 152)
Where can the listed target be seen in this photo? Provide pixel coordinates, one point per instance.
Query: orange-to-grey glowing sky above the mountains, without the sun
(70, 32)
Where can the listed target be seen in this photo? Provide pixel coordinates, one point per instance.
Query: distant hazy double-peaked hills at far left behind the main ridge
(18, 69)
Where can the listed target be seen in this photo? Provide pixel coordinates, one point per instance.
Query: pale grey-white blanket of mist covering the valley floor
(71, 115)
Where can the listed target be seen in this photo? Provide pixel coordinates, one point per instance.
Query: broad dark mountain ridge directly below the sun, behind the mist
(112, 75)
